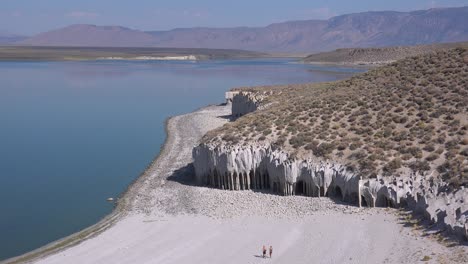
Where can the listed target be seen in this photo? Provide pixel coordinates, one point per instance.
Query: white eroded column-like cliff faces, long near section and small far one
(263, 166)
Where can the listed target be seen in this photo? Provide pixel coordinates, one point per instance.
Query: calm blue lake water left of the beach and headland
(75, 133)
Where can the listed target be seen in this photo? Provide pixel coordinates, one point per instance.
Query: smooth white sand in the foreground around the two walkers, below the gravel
(331, 238)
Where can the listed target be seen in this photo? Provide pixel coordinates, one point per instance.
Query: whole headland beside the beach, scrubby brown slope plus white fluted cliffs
(370, 140)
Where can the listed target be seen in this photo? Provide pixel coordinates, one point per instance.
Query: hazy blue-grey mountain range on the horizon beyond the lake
(369, 29)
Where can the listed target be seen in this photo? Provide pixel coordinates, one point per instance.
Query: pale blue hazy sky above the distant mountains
(34, 16)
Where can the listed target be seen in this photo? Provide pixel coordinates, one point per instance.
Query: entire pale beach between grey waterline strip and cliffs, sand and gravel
(166, 219)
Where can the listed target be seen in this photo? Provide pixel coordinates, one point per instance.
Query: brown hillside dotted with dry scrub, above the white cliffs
(407, 116)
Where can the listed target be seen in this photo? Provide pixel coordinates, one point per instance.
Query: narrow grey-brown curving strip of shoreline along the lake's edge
(121, 209)
